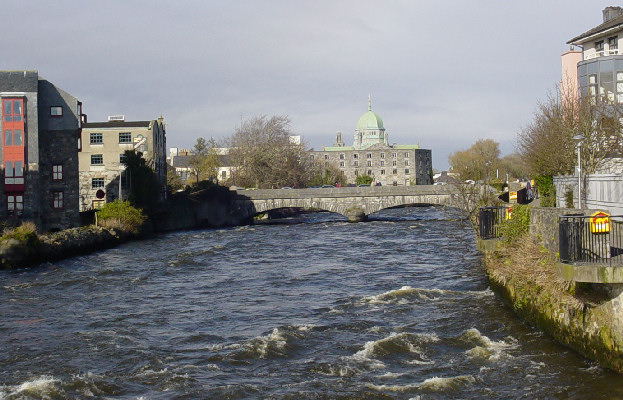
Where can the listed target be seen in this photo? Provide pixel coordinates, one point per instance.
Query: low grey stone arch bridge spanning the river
(356, 203)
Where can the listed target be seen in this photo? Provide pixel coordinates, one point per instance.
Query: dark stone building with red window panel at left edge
(40, 131)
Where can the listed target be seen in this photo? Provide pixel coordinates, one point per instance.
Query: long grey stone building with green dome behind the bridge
(372, 155)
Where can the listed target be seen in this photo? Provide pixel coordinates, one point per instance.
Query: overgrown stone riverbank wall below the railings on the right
(584, 317)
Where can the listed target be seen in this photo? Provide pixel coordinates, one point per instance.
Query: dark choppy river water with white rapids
(395, 308)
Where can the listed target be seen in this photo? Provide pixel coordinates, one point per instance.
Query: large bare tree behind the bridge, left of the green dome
(265, 156)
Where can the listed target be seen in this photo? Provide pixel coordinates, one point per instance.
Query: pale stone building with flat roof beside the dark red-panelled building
(102, 177)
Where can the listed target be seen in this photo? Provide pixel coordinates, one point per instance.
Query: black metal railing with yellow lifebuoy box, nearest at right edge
(591, 239)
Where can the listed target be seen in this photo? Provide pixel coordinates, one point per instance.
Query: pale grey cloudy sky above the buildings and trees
(441, 74)
